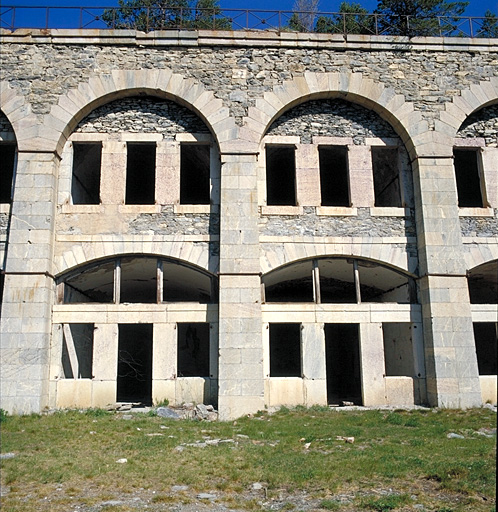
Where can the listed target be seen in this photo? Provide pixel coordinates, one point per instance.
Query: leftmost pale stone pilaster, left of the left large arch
(29, 286)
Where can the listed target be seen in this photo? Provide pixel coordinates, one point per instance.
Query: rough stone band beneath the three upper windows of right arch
(361, 225)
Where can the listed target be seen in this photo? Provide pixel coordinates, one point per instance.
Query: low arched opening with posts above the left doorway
(136, 278)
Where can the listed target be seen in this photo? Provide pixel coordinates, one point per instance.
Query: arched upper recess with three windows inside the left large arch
(139, 150)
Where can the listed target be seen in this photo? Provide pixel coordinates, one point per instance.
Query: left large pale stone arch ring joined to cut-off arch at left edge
(72, 107)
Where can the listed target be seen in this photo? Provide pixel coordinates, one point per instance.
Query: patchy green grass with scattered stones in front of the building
(401, 460)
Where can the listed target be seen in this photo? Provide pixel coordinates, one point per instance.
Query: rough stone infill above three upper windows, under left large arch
(142, 115)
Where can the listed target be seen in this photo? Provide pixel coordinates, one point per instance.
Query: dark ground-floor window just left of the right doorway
(285, 350)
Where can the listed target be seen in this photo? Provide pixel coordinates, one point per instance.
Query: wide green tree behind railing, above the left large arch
(147, 15)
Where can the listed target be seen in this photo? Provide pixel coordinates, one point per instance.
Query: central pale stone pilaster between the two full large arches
(241, 385)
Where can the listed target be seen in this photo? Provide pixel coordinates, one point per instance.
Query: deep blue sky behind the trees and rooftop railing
(475, 8)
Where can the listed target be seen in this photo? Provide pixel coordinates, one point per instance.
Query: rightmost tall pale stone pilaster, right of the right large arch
(451, 361)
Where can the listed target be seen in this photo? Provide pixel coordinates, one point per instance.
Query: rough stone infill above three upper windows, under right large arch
(332, 118)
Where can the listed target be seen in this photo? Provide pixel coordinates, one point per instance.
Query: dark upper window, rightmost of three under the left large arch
(194, 174)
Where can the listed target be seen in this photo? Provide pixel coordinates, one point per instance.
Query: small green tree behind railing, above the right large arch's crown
(351, 19)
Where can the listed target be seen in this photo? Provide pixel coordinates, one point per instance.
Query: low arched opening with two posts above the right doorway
(339, 279)
